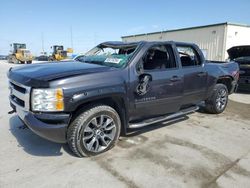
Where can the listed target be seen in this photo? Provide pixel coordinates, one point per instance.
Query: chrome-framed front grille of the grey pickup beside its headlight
(19, 95)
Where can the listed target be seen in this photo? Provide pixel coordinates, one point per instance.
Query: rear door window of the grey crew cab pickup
(189, 56)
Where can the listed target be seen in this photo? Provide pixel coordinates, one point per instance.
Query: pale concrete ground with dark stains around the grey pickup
(199, 150)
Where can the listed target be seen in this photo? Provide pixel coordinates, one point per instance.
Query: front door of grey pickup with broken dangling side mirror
(162, 93)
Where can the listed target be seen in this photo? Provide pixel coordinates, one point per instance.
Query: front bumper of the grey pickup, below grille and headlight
(52, 127)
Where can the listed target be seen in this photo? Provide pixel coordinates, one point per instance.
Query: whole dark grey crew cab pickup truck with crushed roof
(115, 88)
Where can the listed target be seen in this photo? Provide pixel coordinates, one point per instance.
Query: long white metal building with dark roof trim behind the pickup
(214, 40)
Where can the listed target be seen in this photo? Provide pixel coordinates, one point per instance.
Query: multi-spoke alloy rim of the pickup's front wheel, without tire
(99, 133)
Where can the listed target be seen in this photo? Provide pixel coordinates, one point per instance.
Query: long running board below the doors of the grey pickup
(164, 118)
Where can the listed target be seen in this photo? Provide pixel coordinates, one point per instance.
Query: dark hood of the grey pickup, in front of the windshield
(38, 75)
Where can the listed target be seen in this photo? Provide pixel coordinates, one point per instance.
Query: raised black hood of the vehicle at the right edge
(238, 51)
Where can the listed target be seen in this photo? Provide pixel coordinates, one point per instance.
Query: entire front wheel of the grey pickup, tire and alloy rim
(81, 132)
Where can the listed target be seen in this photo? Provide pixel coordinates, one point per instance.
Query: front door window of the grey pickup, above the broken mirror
(159, 57)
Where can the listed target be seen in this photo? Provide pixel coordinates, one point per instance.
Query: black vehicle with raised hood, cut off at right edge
(241, 55)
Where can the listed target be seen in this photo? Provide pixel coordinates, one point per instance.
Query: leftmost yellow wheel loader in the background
(20, 54)
